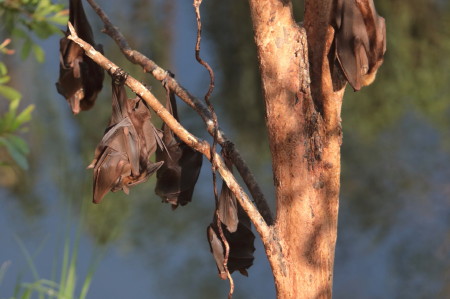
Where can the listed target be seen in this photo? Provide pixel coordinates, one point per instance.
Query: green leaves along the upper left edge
(21, 20)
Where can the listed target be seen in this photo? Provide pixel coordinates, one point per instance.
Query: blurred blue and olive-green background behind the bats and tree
(394, 223)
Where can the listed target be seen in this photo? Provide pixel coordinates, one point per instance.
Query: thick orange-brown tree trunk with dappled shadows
(303, 121)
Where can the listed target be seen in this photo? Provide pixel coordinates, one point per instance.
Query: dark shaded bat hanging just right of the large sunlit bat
(176, 179)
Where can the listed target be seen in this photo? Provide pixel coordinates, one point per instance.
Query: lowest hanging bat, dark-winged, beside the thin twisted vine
(236, 227)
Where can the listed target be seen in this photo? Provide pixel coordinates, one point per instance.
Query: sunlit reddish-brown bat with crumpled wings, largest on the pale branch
(122, 156)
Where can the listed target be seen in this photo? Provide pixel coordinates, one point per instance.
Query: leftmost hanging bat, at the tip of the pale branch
(80, 78)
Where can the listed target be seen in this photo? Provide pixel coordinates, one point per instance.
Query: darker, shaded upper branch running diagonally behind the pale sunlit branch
(160, 74)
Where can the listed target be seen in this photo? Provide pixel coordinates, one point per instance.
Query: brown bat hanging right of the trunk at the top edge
(360, 40)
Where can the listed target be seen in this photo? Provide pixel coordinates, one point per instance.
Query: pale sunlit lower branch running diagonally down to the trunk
(199, 145)
